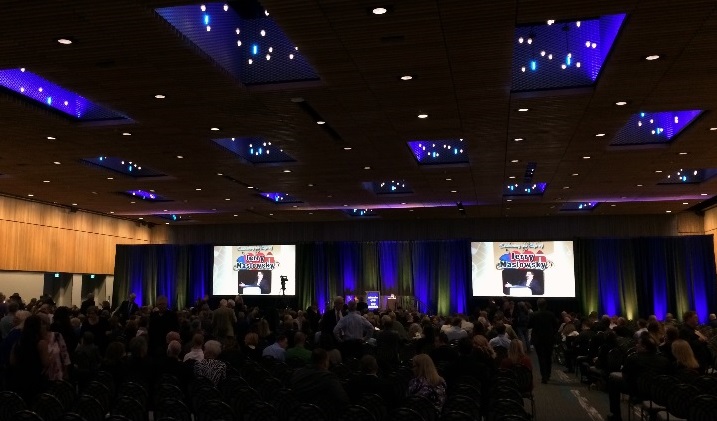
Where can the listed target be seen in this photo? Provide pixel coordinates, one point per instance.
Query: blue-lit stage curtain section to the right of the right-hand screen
(642, 276)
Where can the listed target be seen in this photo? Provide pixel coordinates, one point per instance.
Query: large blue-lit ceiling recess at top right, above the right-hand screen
(569, 54)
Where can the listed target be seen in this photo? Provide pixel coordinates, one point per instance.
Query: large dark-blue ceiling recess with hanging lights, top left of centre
(252, 48)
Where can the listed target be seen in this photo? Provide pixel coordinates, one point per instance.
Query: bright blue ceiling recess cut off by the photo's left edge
(49, 95)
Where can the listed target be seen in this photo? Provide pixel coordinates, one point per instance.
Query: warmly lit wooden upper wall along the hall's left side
(43, 238)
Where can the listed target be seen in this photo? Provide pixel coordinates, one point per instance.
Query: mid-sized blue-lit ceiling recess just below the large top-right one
(654, 128)
